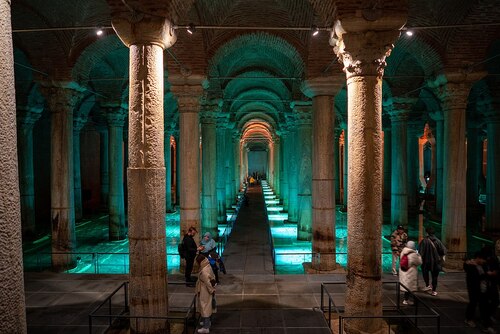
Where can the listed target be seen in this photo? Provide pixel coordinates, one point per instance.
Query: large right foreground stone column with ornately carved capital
(363, 50)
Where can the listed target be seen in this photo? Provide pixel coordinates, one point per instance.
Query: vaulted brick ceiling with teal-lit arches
(277, 60)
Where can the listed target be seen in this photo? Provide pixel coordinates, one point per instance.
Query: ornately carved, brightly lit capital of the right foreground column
(363, 53)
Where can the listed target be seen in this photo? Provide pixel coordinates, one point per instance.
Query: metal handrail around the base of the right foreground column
(411, 318)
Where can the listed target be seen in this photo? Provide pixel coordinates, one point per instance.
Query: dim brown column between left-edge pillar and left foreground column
(62, 102)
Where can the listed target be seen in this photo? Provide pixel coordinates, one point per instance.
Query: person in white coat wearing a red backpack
(408, 270)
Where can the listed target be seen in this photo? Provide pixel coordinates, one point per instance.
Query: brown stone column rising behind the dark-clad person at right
(453, 96)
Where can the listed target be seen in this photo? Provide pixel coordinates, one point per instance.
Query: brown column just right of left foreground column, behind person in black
(188, 93)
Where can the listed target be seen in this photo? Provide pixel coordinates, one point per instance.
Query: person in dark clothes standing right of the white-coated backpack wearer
(432, 251)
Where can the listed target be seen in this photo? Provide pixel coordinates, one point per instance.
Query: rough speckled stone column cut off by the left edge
(12, 301)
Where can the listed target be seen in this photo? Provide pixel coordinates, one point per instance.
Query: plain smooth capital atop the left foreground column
(143, 29)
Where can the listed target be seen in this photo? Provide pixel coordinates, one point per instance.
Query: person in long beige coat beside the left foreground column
(205, 291)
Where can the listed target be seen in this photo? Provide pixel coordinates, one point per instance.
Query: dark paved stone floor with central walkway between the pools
(251, 299)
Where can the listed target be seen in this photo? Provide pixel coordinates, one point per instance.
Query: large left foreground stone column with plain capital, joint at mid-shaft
(146, 37)
